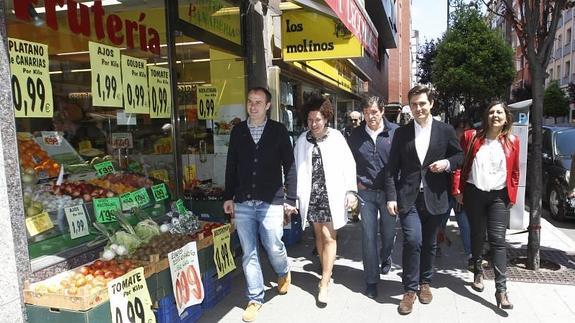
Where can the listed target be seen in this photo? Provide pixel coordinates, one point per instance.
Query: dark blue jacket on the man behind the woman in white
(371, 159)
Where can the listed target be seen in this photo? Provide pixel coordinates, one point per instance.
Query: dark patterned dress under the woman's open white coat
(318, 209)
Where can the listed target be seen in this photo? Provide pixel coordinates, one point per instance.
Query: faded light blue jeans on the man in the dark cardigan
(263, 220)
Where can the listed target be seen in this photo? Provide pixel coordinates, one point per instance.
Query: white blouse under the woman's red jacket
(489, 169)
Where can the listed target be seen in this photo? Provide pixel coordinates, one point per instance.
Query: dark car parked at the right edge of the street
(558, 147)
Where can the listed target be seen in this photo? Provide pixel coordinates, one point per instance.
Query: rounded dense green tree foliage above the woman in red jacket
(473, 64)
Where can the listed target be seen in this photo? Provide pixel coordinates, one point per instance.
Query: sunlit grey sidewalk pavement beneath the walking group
(453, 298)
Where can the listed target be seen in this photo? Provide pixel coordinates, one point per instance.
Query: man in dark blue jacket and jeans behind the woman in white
(370, 144)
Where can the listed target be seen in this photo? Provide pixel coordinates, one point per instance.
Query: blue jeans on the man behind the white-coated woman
(374, 202)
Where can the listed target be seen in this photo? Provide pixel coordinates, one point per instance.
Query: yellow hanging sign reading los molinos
(309, 36)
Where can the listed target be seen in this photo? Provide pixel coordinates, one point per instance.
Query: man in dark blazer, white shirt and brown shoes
(417, 187)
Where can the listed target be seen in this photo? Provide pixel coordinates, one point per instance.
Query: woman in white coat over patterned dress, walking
(326, 182)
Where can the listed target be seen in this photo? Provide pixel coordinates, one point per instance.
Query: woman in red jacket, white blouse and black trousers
(486, 185)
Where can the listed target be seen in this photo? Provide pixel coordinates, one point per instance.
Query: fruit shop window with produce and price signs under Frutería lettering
(93, 114)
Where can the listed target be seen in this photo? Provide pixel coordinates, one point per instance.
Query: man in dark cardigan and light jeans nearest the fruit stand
(259, 153)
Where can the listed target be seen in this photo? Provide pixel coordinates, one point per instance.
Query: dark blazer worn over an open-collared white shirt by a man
(404, 171)
